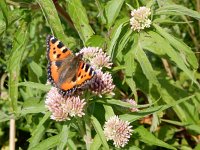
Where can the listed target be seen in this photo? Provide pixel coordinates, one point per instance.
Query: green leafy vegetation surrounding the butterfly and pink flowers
(158, 67)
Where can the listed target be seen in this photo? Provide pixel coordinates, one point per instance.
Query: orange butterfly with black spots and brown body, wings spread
(66, 71)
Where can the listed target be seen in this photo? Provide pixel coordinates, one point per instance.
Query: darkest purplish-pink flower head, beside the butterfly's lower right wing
(102, 83)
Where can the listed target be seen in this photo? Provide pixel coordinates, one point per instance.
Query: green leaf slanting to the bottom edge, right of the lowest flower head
(147, 137)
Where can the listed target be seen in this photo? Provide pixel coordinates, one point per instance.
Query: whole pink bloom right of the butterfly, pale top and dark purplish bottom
(102, 82)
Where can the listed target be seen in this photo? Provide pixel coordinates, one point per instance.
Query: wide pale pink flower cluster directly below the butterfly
(63, 108)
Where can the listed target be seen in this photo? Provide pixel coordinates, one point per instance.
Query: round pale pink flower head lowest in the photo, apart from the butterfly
(117, 130)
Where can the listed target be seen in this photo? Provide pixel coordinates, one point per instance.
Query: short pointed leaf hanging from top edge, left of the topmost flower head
(112, 10)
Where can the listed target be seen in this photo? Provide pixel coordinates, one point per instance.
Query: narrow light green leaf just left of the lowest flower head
(99, 131)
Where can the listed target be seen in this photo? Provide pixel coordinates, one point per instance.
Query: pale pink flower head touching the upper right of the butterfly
(96, 57)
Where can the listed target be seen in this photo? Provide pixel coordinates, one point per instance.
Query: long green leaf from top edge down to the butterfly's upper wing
(52, 18)
